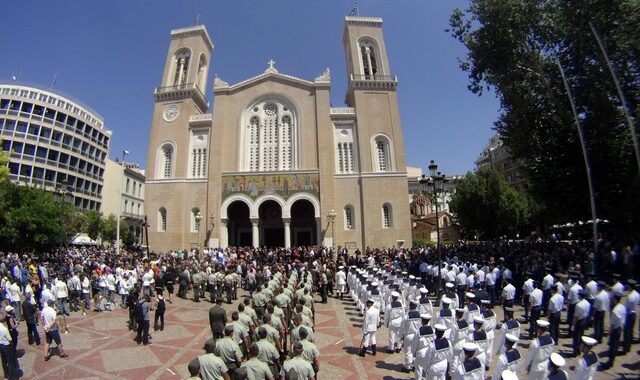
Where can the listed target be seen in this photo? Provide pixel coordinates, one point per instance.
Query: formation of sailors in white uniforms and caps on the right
(461, 337)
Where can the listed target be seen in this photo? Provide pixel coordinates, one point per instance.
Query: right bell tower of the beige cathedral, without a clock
(371, 92)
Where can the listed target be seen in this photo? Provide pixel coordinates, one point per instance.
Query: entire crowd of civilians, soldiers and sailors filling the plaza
(282, 286)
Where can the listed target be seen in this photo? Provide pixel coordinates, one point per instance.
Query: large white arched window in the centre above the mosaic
(268, 137)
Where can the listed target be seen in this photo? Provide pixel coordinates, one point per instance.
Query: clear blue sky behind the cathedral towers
(110, 55)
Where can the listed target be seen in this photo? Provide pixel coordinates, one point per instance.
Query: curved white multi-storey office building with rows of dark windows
(55, 142)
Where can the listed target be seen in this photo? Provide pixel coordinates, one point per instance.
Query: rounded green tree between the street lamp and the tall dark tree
(487, 205)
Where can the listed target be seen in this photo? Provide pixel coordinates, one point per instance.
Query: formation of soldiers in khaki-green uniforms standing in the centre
(271, 335)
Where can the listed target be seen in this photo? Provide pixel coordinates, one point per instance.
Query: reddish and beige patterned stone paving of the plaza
(101, 347)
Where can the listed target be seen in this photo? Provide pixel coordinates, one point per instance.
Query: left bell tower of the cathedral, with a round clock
(177, 158)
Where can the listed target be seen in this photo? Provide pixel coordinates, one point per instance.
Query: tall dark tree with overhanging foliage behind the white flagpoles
(512, 50)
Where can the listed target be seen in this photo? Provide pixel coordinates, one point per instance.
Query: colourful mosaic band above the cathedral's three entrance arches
(283, 185)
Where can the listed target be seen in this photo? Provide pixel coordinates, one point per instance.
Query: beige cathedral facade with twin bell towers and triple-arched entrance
(275, 164)
